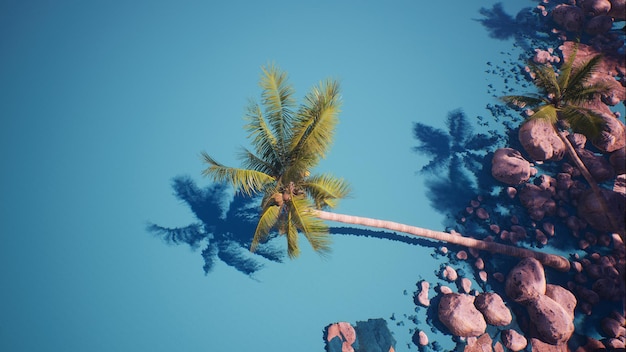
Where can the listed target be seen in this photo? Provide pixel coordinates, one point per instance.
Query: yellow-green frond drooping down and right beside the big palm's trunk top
(313, 228)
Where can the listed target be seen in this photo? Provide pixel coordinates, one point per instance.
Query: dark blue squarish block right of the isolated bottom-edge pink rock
(373, 335)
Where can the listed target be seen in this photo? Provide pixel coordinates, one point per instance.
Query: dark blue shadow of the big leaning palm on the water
(225, 228)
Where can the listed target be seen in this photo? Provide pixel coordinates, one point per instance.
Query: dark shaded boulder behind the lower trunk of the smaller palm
(590, 210)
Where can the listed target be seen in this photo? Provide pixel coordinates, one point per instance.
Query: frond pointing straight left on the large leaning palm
(247, 181)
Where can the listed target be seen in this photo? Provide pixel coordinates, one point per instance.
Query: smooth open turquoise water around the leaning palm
(103, 105)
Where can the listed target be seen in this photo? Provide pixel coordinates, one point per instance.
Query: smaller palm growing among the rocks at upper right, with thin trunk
(563, 100)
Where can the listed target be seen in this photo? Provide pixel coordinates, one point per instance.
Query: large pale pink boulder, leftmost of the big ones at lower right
(458, 313)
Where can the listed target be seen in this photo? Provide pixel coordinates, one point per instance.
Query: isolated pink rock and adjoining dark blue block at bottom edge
(366, 336)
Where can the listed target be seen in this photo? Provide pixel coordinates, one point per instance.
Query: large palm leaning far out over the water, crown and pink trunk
(289, 142)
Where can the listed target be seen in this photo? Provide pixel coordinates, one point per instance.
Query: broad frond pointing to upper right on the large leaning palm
(314, 126)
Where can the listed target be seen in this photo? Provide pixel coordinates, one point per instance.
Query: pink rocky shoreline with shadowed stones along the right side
(525, 307)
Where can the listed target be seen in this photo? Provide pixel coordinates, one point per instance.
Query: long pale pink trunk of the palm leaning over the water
(551, 260)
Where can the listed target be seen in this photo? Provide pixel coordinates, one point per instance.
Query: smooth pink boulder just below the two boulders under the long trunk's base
(551, 321)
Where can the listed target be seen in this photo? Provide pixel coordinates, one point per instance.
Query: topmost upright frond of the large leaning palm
(278, 101)
